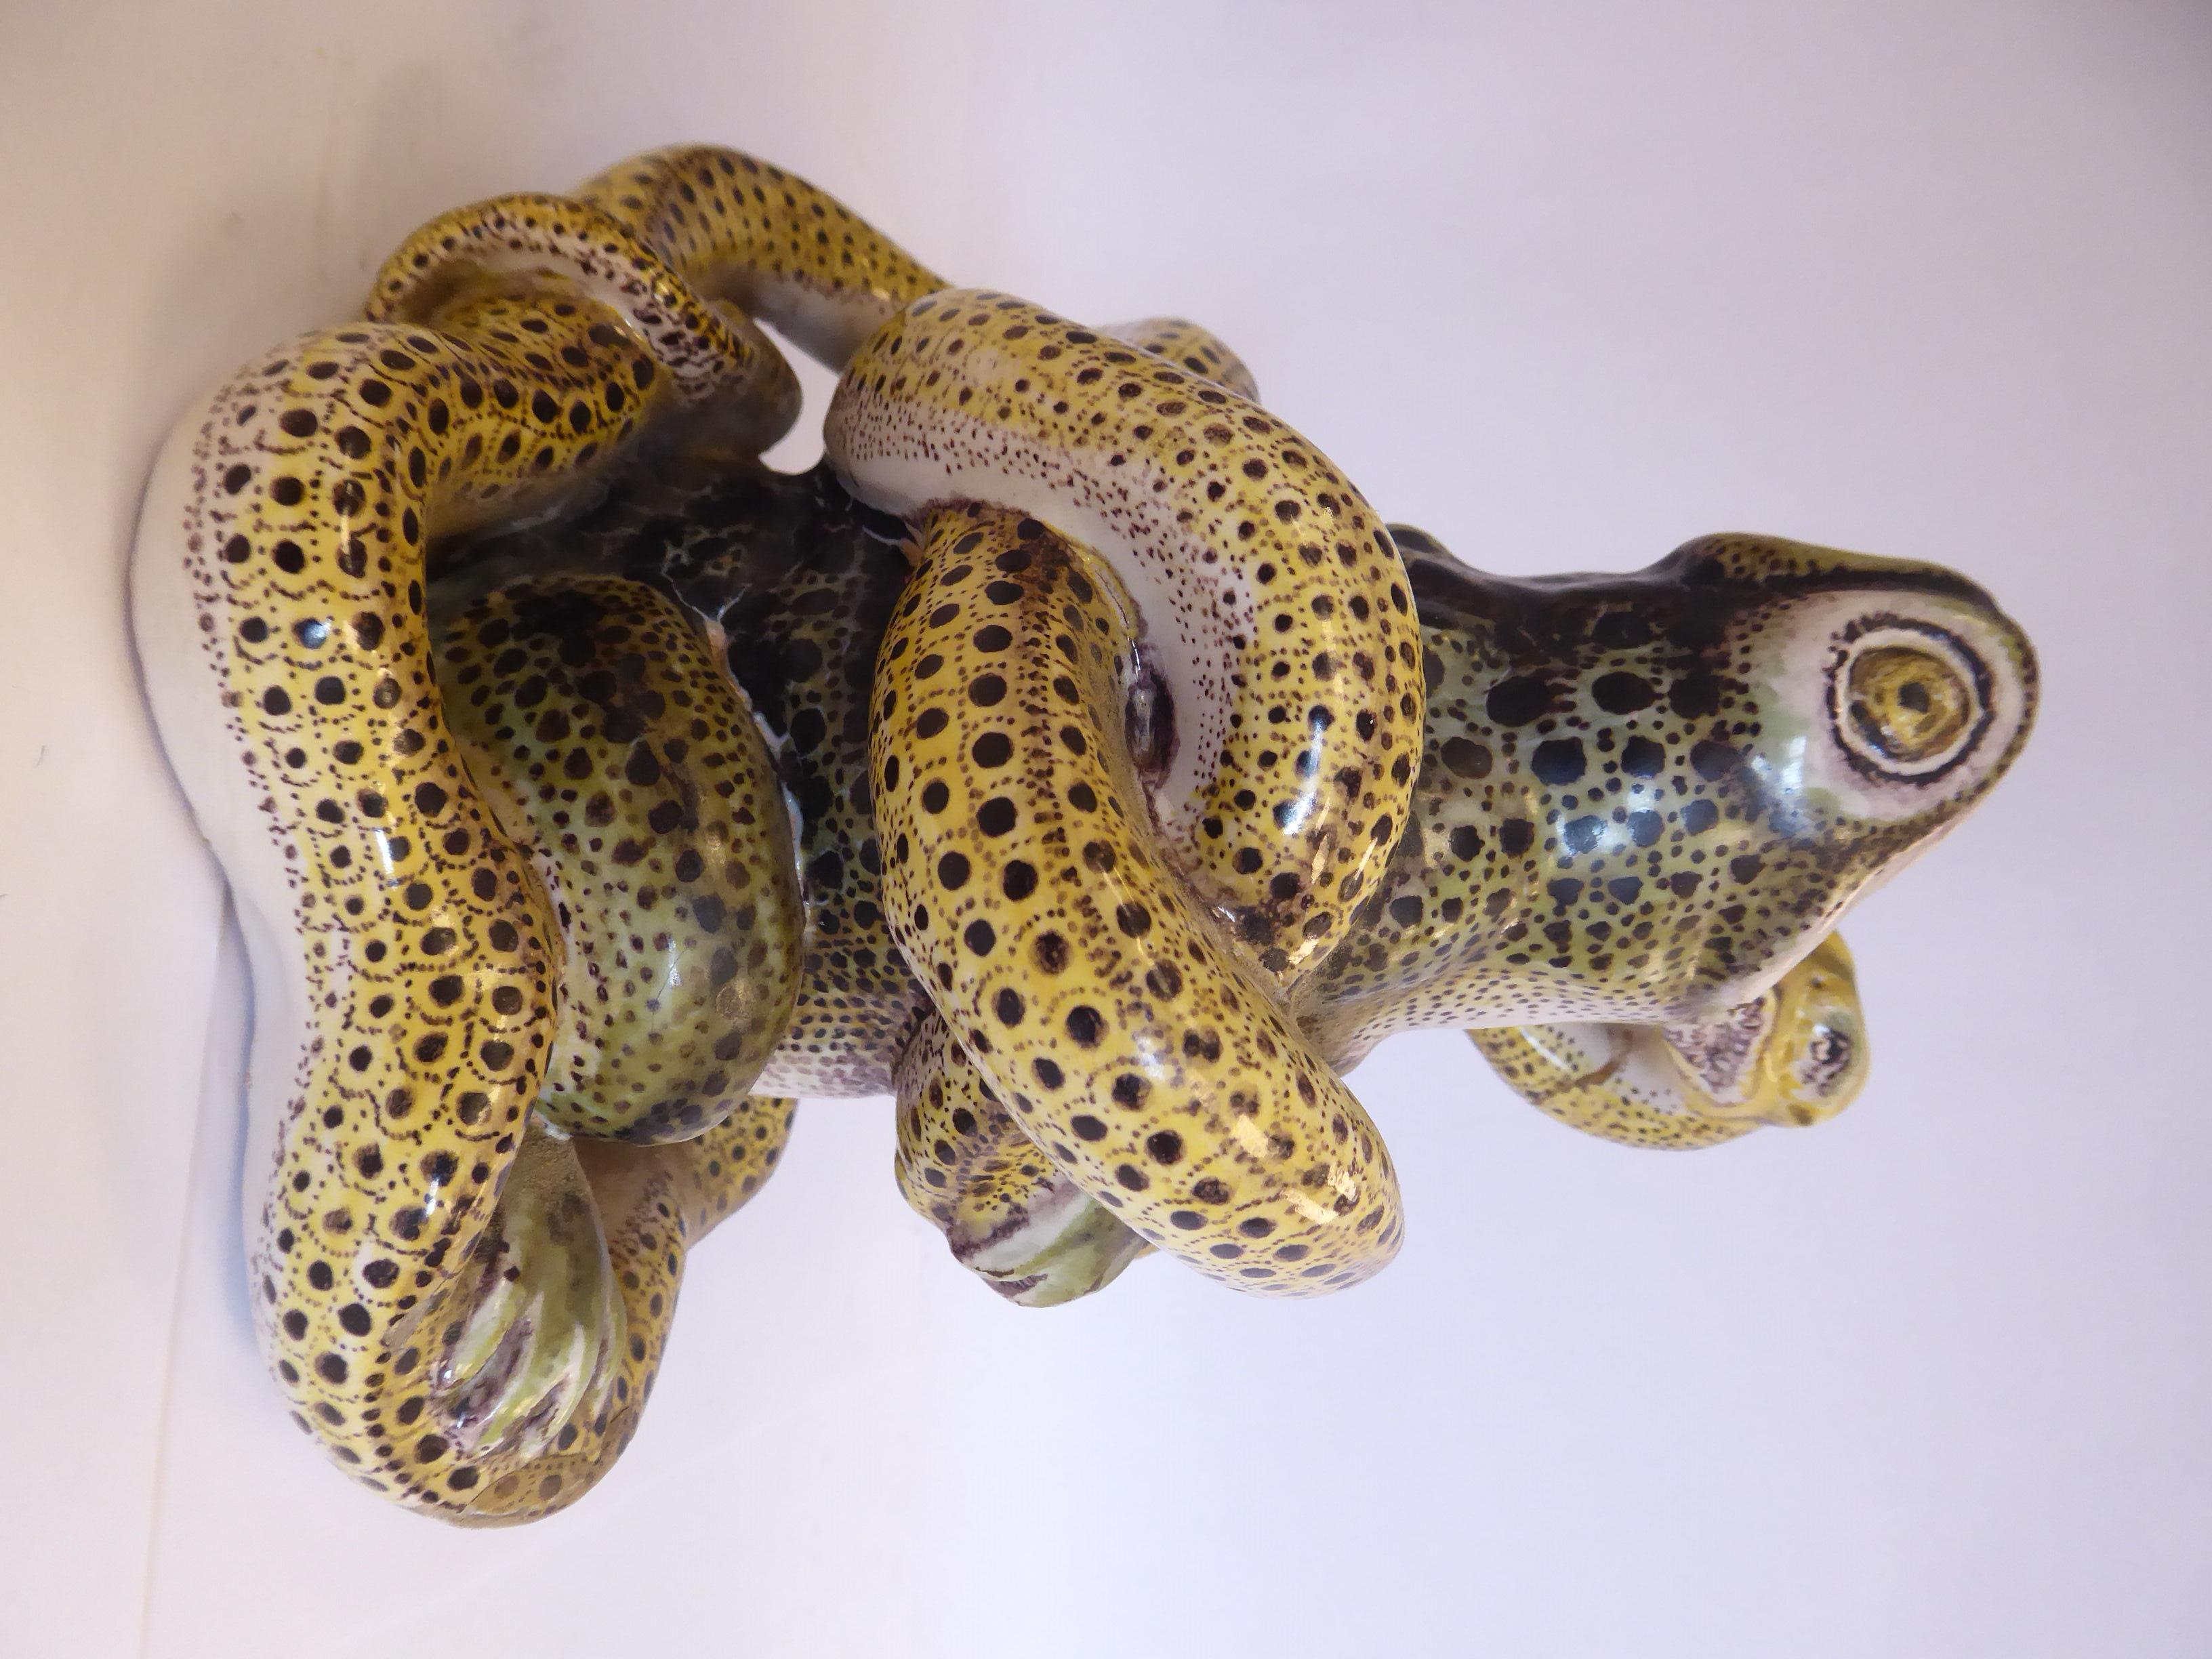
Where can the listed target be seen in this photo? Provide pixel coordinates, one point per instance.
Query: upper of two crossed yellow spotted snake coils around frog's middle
(1275, 607)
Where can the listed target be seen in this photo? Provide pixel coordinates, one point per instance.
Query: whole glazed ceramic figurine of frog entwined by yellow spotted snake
(1076, 755)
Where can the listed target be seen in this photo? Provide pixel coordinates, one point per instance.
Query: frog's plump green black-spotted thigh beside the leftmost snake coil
(607, 742)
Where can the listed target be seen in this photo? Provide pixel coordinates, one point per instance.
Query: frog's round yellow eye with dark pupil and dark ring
(1908, 700)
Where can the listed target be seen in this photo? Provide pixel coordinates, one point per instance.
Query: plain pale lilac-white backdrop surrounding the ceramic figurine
(1561, 284)
